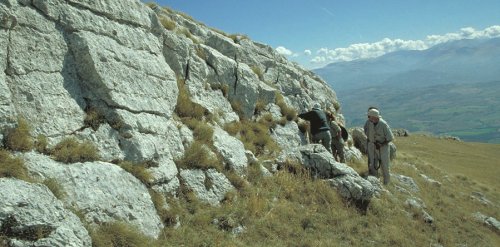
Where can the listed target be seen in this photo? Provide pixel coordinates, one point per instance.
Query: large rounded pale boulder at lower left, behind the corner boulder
(102, 192)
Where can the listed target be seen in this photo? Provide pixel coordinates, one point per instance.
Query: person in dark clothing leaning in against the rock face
(320, 129)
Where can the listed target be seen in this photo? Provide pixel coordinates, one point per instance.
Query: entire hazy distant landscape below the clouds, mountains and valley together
(451, 89)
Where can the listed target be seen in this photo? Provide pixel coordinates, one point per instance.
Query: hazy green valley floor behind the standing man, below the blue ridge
(469, 111)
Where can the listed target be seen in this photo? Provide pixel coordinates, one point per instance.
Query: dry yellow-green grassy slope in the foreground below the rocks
(291, 209)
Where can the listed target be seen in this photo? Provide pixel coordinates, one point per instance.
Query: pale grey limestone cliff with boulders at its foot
(60, 60)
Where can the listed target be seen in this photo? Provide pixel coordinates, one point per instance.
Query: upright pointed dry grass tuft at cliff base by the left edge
(19, 138)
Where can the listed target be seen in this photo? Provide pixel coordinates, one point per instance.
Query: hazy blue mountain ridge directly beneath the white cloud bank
(461, 61)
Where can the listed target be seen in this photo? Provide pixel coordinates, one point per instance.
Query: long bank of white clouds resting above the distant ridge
(370, 50)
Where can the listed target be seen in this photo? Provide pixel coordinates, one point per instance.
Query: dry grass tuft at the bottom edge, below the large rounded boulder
(118, 234)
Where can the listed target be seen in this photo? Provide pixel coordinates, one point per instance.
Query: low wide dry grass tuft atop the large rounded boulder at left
(69, 150)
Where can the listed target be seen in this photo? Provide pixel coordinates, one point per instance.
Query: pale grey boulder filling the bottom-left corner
(30, 215)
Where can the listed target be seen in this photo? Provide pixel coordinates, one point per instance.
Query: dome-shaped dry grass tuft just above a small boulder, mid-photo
(198, 155)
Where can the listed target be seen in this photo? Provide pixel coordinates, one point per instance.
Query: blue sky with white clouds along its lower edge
(317, 32)
